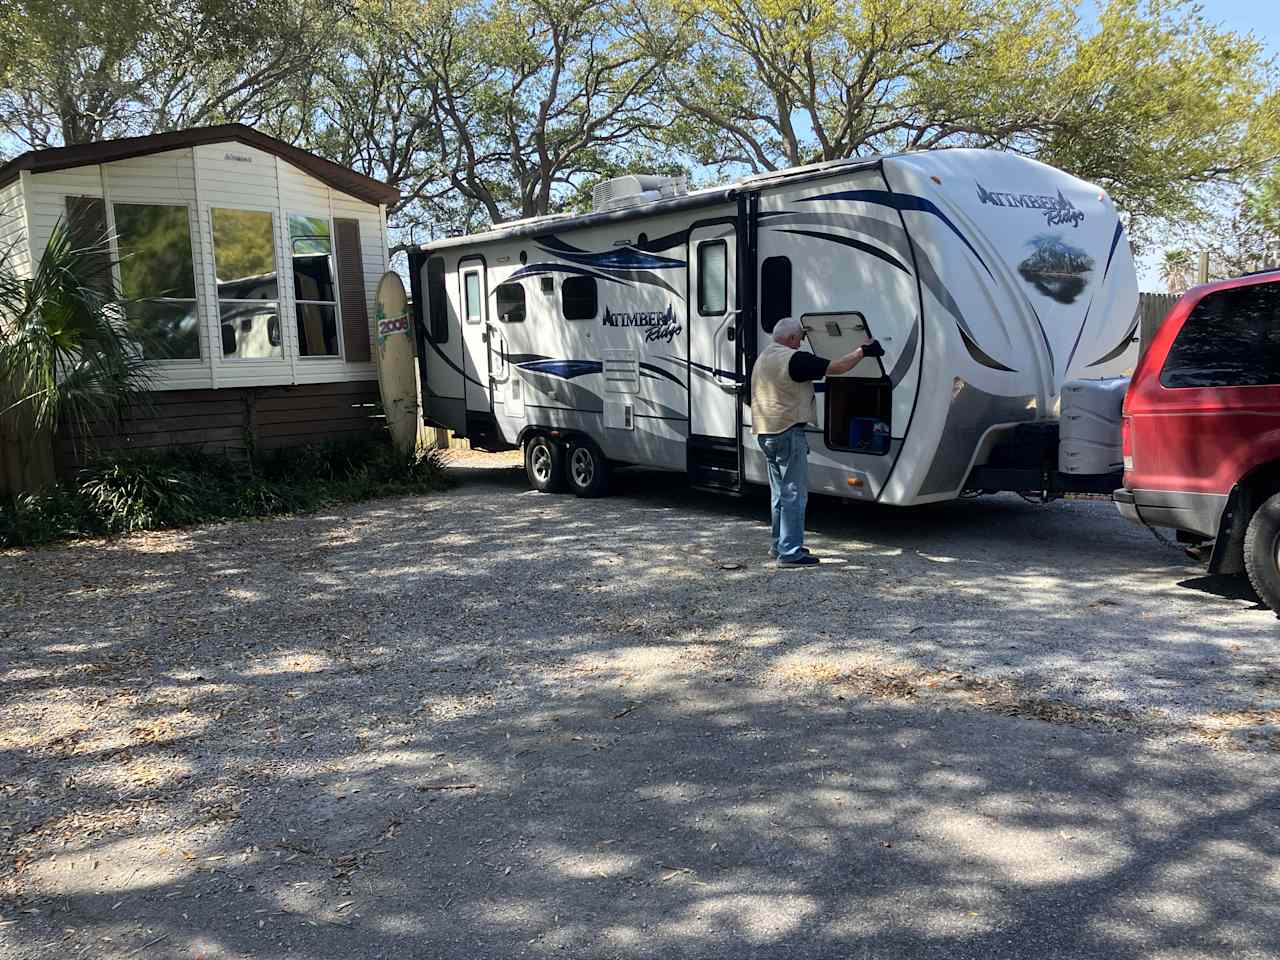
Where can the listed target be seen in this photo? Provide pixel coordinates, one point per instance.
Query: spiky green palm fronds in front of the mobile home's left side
(66, 353)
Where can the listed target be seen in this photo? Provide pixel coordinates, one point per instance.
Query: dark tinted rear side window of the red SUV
(1232, 339)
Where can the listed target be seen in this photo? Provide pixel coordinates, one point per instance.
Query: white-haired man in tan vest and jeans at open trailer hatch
(783, 403)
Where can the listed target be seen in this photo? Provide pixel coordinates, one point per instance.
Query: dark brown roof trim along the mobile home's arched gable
(106, 152)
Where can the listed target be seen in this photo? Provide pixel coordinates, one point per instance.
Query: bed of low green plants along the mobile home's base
(125, 495)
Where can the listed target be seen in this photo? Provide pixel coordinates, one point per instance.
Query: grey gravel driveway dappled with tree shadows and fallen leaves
(500, 724)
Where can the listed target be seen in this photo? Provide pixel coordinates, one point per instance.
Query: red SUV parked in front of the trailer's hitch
(1203, 429)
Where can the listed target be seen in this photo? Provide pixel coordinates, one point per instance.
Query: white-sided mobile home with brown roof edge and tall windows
(250, 269)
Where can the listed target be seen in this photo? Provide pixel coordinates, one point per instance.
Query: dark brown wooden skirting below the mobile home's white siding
(232, 420)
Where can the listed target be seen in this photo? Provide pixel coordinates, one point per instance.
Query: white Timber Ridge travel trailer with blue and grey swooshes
(627, 336)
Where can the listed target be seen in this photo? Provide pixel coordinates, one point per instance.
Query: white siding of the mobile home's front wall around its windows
(221, 176)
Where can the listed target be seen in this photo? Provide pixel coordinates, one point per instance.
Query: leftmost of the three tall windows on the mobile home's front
(158, 280)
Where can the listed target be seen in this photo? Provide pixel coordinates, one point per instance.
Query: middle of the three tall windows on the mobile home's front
(248, 286)
